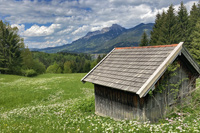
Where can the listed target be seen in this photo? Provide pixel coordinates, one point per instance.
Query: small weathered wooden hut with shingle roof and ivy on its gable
(142, 82)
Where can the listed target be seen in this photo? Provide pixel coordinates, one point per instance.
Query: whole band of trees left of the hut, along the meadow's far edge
(17, 59)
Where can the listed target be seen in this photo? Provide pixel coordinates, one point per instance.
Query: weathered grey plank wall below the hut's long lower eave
(118, 104)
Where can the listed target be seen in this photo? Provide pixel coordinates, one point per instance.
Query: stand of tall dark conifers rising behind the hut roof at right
(172, 27)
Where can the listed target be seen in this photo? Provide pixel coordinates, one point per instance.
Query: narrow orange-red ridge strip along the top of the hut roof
(157, 46)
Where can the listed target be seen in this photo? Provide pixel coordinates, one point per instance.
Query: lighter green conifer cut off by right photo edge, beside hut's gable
(195, 44)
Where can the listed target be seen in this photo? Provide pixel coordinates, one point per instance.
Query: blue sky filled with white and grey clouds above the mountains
(49, 23)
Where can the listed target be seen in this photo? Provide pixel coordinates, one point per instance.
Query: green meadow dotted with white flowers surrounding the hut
(52, 103)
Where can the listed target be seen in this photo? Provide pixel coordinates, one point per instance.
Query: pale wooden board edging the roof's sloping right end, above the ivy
(159, 71)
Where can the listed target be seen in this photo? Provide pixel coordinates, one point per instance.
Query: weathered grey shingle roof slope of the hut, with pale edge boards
(133, 69)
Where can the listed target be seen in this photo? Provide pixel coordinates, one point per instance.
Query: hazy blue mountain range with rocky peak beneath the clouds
(103, 41)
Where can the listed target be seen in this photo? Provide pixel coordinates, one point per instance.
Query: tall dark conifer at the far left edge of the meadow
(10, 49)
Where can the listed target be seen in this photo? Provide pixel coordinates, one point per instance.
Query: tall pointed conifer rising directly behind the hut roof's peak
(182, 24)
